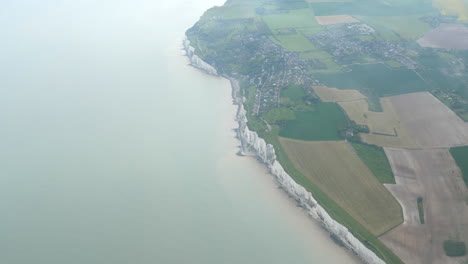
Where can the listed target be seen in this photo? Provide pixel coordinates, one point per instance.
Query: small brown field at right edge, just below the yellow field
(446, 36)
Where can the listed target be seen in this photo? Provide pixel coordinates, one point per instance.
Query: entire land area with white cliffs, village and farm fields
(335, 97)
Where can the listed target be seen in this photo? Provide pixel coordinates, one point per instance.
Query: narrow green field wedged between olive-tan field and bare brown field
(376, 160)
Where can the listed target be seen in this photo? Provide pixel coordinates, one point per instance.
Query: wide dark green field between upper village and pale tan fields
(368, 80)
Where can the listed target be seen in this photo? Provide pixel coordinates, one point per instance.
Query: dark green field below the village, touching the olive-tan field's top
(321, 124)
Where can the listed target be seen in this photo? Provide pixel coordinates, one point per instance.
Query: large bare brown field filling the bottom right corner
(432, 175)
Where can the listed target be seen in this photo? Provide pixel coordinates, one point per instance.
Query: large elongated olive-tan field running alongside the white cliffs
(337, 170)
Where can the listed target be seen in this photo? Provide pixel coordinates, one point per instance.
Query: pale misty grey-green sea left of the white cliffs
(113, 150)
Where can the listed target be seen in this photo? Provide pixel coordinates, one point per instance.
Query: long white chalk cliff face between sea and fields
(253, 145)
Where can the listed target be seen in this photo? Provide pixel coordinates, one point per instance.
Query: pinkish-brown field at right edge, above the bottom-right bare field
(429, 122)
